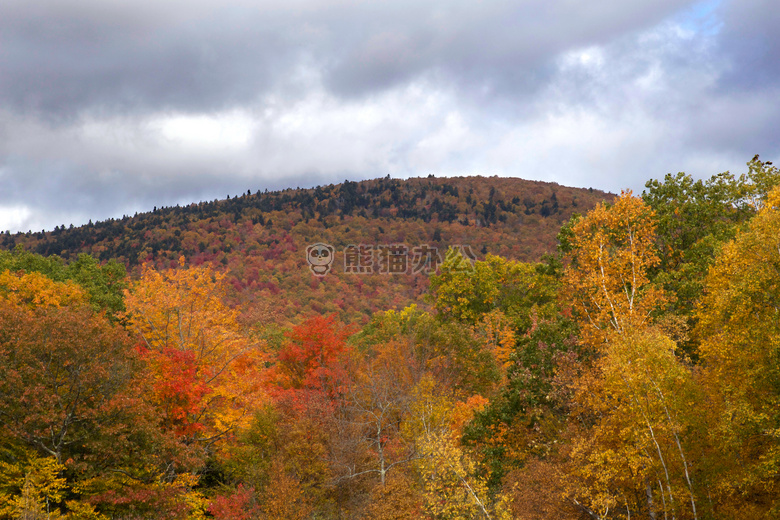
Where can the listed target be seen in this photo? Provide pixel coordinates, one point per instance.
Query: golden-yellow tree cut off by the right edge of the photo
(740, 330)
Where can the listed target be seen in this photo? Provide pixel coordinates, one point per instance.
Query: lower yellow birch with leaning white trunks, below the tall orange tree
(632, 449)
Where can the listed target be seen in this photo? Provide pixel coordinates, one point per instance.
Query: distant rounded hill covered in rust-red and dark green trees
(261, 238)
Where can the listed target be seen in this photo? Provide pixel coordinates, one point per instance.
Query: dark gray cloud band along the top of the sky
(66, 56)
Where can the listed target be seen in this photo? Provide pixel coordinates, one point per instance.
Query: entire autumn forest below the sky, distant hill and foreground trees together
(598, 357)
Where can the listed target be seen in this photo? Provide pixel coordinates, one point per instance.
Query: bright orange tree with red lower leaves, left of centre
(205, 370)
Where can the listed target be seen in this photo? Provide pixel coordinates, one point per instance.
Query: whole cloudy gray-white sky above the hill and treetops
(108, 107)
